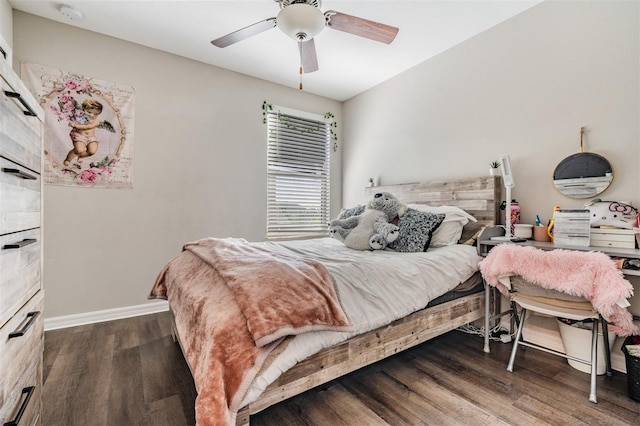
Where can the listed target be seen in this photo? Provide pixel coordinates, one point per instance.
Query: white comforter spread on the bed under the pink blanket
(375, 288)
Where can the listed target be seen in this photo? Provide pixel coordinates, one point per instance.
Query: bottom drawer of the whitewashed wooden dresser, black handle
(24, 402)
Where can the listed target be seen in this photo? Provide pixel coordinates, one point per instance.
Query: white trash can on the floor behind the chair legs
(576, 339)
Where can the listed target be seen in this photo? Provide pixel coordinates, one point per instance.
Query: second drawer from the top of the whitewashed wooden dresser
(21, 197)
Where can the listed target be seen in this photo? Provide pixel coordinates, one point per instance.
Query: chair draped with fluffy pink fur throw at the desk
(574, 283)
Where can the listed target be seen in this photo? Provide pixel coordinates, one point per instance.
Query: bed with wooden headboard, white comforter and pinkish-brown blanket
(353, 330)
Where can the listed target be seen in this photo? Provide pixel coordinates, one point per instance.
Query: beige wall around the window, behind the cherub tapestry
(199, 170)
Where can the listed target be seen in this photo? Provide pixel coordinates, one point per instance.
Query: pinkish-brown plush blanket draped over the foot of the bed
(233, 303)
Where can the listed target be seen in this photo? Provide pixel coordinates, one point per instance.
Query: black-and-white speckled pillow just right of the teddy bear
(415, 231)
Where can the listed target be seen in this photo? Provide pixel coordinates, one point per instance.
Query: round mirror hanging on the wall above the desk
(583, 175)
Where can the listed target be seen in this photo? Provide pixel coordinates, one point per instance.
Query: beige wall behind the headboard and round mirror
(523, 88)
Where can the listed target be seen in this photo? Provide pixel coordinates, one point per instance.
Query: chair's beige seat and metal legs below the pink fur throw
(527, 297)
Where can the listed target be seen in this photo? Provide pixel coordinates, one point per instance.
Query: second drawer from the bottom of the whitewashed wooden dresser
(18, 353)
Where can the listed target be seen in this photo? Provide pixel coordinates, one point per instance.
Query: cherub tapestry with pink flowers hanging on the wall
(88, 132)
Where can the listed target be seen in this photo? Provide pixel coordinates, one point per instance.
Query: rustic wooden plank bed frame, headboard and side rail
(481, 197)
